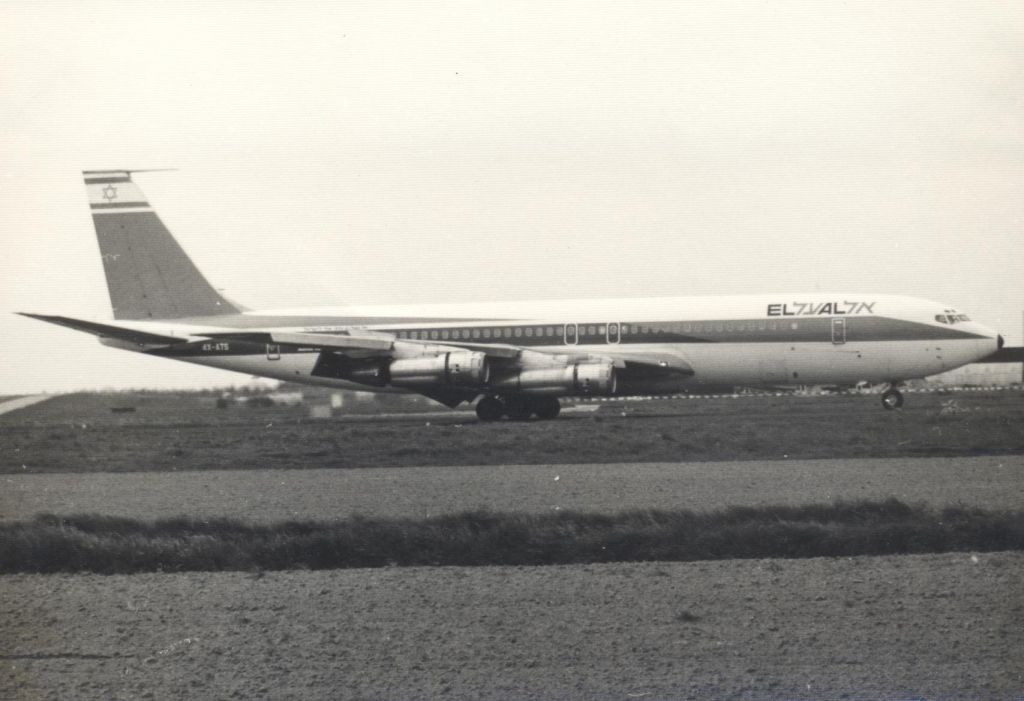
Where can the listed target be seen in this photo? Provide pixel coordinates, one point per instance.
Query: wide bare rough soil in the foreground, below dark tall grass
(895, 628)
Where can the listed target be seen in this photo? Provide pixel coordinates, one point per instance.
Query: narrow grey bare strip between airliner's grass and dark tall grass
(269, 496)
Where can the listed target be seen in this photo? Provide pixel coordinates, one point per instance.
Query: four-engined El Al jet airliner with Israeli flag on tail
(514, 360)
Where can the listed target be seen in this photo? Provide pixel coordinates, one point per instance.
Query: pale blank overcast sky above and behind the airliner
(387, 153)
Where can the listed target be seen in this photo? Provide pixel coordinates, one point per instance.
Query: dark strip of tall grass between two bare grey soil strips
(105, 545)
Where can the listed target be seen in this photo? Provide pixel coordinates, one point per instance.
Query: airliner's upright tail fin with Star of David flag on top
(148, 274)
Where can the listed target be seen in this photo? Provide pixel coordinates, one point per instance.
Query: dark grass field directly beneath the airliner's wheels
(172, 432)
